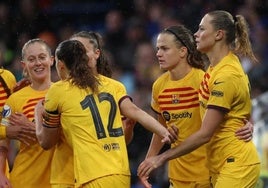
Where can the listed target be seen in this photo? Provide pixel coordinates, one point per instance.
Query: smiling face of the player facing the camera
(37, 61)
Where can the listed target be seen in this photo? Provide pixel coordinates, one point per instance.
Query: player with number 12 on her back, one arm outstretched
(88, 108)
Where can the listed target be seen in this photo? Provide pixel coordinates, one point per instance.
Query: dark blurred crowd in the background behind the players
(129, 30)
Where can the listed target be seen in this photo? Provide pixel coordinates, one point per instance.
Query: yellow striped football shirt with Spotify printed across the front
(177, 102)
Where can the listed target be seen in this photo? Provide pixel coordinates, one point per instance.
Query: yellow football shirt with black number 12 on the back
(92, 127)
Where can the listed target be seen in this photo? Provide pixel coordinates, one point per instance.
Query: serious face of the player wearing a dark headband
(168, 53)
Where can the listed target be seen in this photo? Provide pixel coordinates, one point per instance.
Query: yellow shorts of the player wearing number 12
(109, 181)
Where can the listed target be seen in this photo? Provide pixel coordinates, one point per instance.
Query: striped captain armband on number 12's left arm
(51, 120)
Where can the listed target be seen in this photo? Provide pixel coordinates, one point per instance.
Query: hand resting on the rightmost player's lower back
(246, 132)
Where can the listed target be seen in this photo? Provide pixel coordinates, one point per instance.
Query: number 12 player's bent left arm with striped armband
(47, 127)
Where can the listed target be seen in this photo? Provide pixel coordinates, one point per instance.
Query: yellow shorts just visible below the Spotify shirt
(189, 184)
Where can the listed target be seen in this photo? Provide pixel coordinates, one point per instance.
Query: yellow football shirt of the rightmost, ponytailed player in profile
(226, 87)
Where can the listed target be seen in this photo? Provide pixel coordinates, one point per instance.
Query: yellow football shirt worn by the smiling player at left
(32, 164)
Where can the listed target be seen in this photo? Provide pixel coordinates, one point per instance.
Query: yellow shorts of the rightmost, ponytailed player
(236, 176)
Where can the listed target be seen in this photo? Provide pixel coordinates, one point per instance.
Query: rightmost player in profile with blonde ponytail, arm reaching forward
(224, 96)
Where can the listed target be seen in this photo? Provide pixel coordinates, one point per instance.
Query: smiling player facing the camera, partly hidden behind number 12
(32, 164)
